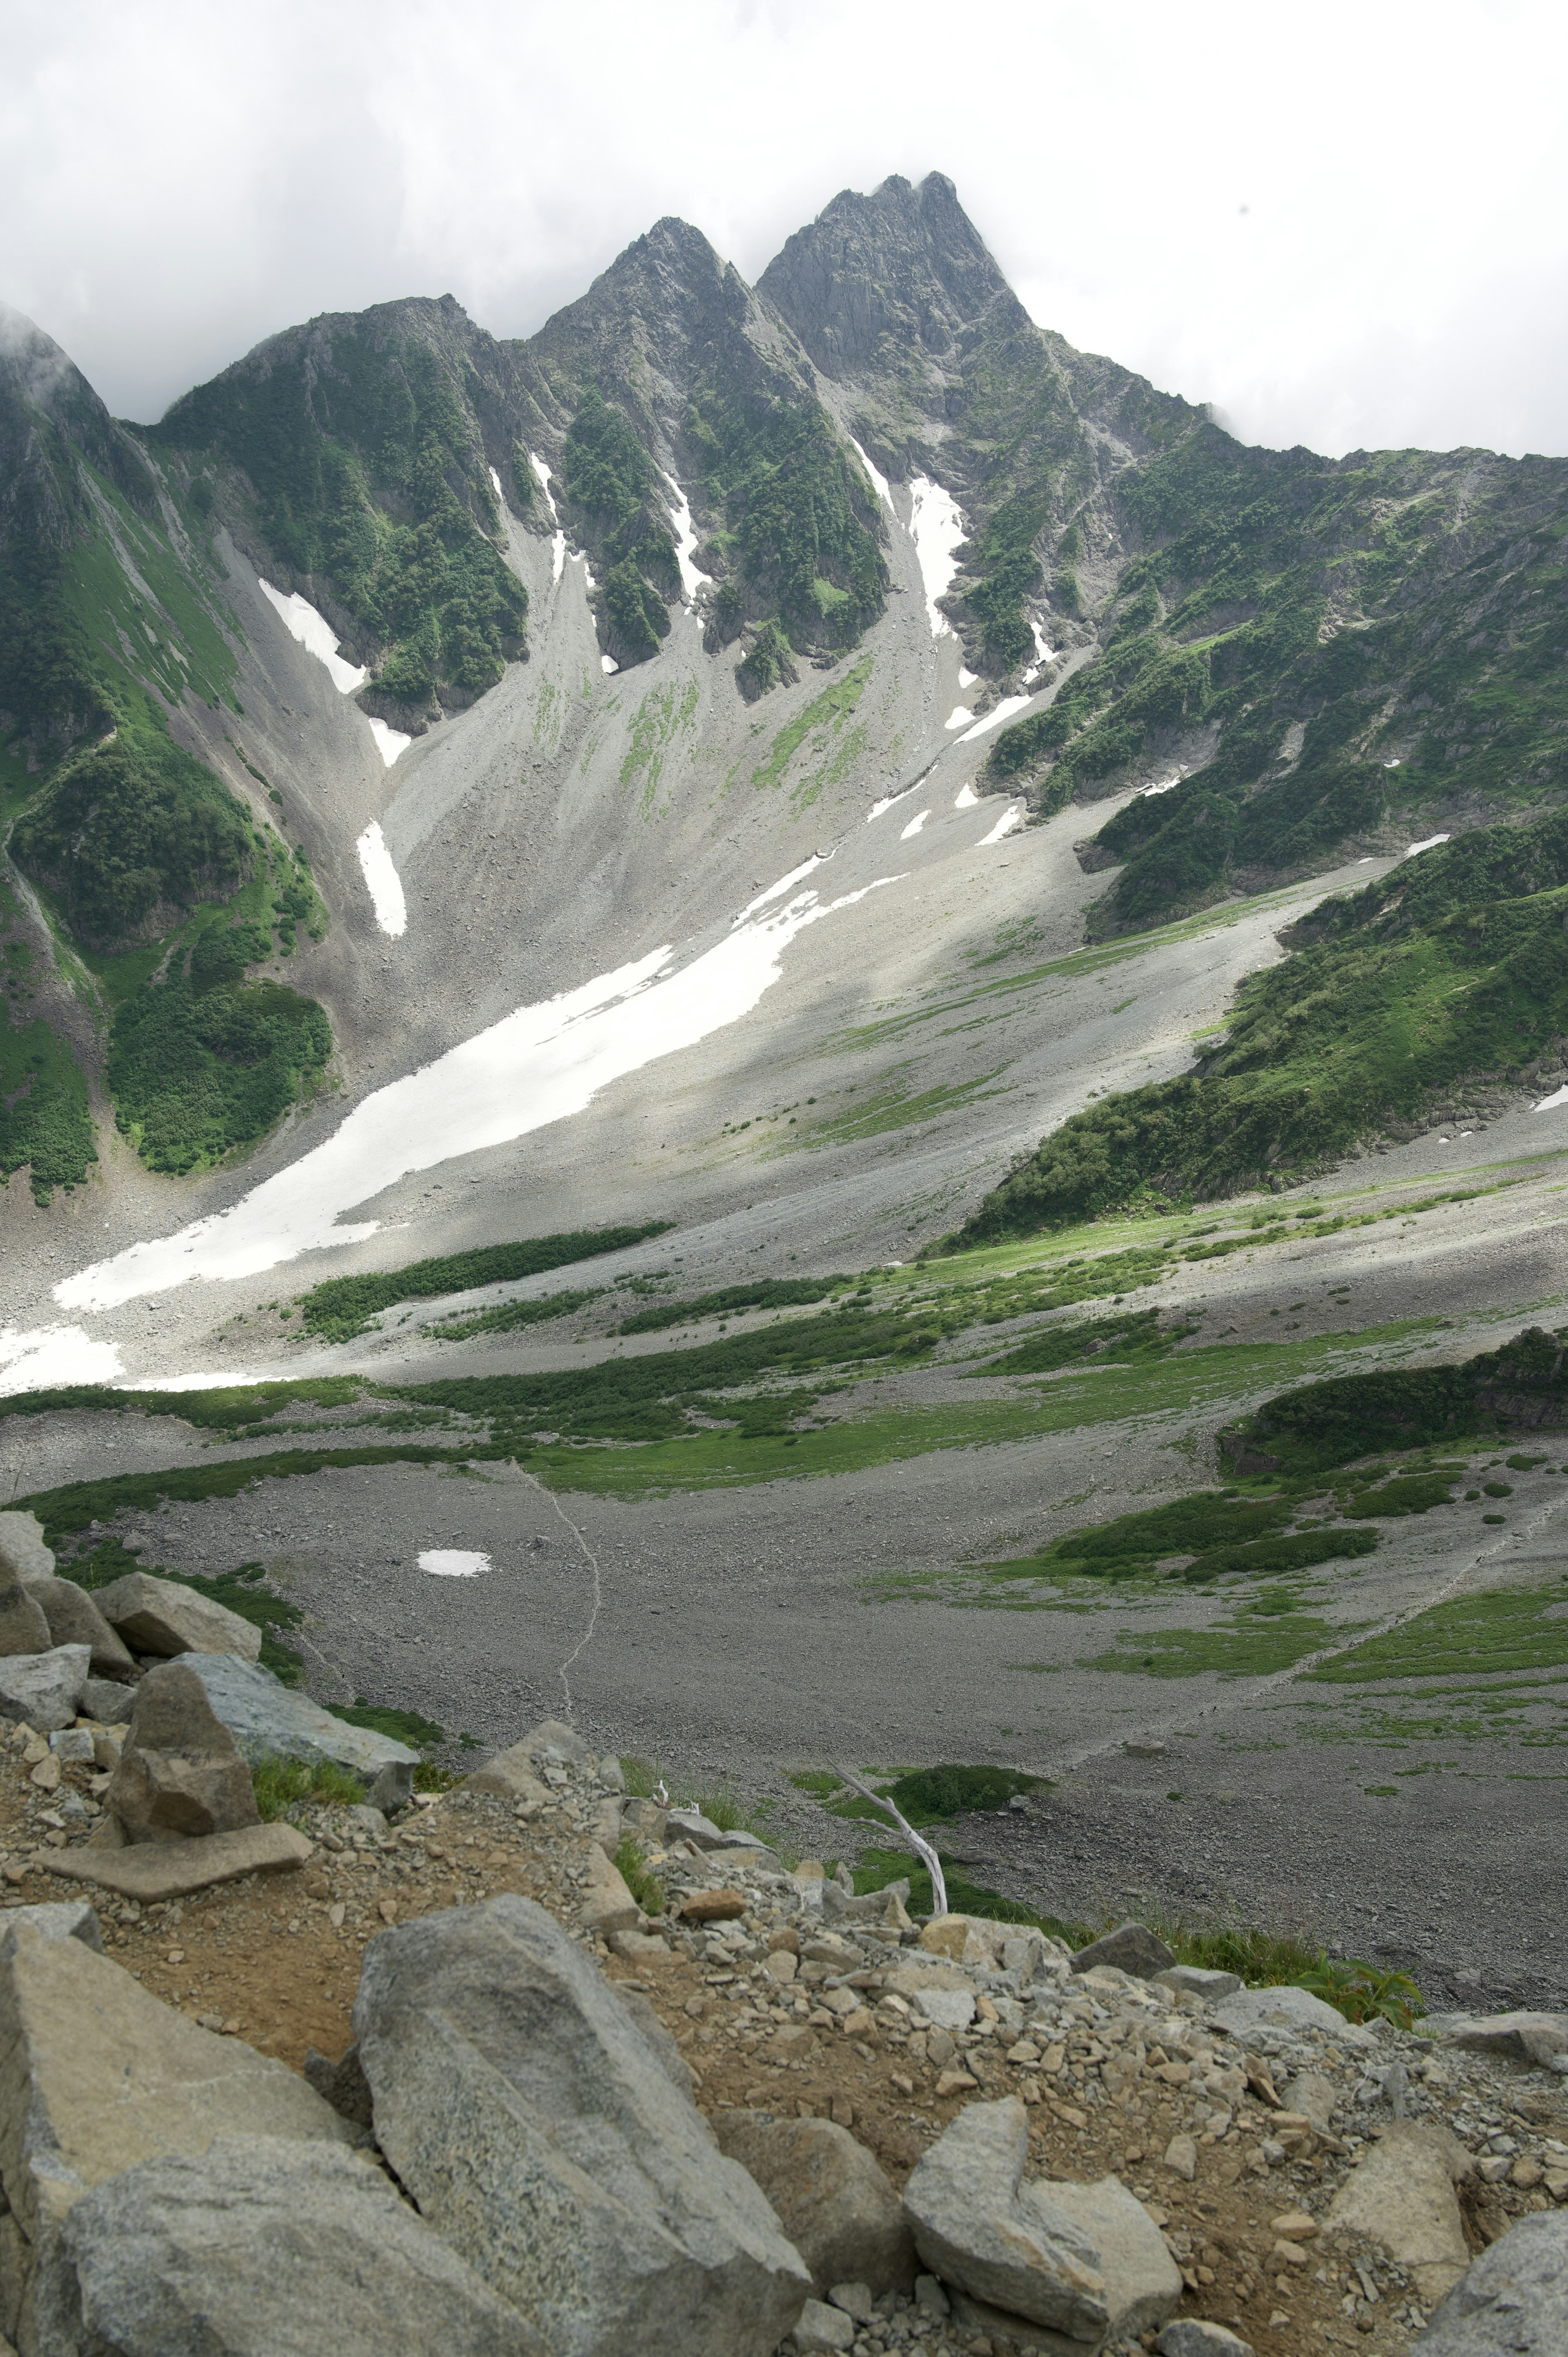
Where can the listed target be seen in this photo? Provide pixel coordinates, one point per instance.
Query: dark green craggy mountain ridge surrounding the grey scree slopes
(1307, 659)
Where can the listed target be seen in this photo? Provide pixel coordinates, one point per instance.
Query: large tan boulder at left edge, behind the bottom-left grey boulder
(98, 2078)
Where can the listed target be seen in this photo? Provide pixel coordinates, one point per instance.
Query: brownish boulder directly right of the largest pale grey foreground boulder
(831, 2196)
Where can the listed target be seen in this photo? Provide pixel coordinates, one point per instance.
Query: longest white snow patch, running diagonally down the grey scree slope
(536, 1067)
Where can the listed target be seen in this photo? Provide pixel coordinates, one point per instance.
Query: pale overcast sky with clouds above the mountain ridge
(1345, 225)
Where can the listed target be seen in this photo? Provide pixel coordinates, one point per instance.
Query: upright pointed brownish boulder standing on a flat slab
(180, 1774)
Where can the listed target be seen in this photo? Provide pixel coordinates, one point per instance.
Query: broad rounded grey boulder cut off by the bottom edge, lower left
(275, 2250)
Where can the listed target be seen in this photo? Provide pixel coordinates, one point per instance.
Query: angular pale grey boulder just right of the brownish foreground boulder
(1003, 2240)
